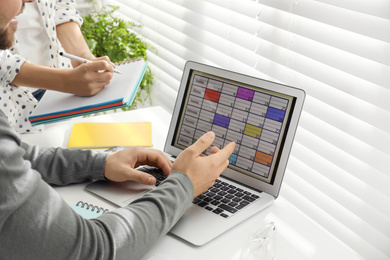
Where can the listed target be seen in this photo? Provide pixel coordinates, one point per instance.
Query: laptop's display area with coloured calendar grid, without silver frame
(254, 118)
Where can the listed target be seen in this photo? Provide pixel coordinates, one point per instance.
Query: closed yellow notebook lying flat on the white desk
(105, 135)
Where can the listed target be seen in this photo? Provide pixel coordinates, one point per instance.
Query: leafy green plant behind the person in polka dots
(108, 35)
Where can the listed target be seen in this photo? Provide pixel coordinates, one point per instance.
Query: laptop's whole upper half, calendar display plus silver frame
(254, 113)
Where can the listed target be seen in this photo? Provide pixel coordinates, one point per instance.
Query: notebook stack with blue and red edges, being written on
(55, 106)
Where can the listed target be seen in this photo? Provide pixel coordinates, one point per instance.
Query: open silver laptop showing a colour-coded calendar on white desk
(259, 115)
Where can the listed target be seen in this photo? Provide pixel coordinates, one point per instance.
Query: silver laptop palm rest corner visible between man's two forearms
(119, 193)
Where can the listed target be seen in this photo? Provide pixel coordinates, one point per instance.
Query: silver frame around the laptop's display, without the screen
(298, 94)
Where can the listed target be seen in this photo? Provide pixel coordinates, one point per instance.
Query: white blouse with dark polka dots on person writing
(17, 103)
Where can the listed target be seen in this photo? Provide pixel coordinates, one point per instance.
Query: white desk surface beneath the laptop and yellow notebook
(297, 236)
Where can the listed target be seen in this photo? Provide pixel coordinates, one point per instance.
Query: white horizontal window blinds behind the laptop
(339, 53)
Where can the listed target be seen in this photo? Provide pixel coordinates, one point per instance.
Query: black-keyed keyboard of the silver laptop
(223, 199)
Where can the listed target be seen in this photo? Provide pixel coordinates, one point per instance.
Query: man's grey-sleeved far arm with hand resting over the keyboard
(72, 166)
